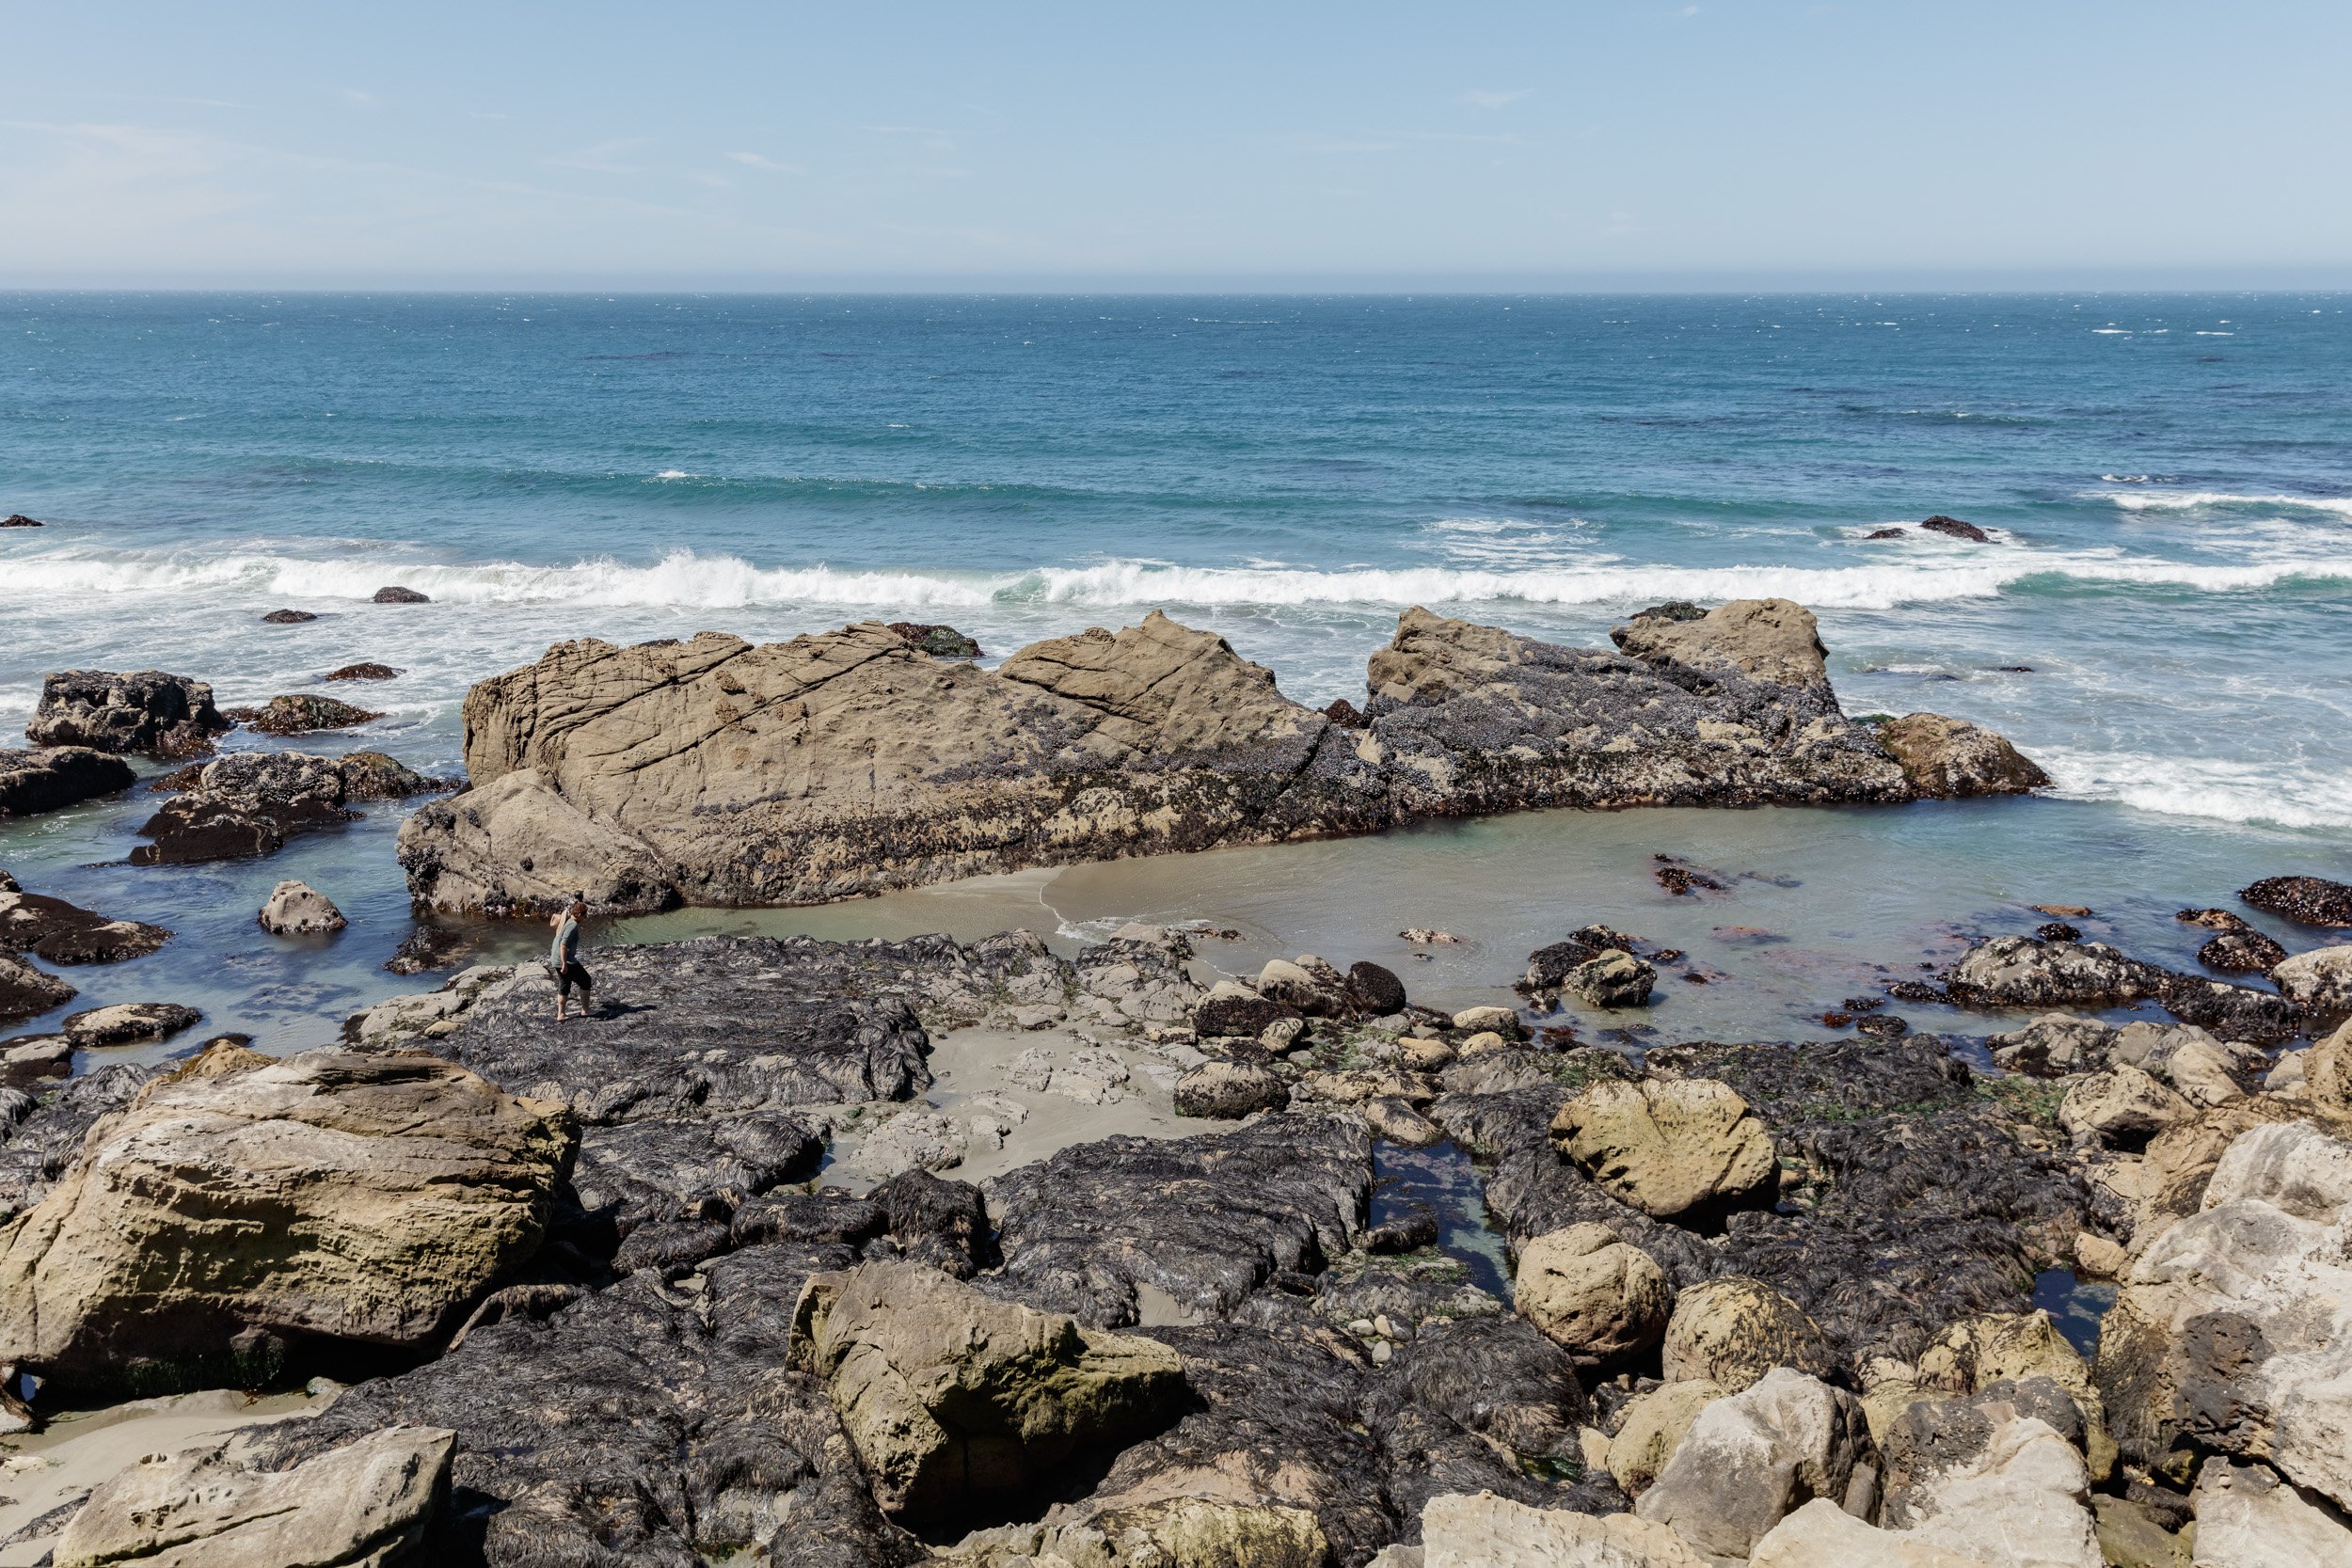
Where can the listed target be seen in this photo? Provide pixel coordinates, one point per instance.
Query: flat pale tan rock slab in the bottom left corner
(213, 1508)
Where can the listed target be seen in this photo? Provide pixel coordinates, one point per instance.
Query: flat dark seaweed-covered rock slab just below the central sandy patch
(1203, 1219)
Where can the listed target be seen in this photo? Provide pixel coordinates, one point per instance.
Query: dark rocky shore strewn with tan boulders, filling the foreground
(697, 1278)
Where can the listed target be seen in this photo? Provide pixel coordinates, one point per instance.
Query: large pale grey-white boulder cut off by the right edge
(2236, 1327)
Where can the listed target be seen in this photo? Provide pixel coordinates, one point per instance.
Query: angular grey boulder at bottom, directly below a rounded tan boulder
(1758, 1456)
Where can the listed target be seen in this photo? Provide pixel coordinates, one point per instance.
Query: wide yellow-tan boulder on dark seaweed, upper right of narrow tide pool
(1678, 1151)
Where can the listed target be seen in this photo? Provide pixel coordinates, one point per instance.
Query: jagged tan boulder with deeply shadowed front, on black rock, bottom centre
(958, 1402)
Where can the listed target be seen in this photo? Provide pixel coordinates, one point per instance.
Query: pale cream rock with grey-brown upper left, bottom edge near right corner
(1989, 1482)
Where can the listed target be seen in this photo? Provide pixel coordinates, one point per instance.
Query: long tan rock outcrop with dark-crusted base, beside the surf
(716, 772)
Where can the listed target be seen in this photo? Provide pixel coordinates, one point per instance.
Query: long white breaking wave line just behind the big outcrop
(688, 579)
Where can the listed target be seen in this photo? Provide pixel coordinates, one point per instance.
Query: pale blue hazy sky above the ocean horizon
(1208, 145)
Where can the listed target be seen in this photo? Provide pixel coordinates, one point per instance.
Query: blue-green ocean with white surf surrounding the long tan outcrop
(2160, 617)
